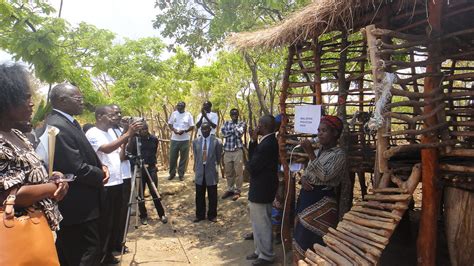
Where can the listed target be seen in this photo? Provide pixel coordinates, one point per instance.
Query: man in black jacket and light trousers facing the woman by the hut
(263, 166)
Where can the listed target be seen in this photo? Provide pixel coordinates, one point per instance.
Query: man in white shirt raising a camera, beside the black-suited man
(108, 151)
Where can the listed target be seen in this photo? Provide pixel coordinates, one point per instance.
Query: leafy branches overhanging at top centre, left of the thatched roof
(202, 25)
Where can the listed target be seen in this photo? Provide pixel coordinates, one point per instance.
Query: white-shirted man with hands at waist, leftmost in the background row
(180, 123)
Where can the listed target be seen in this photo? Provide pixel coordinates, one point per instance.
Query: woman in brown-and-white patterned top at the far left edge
(20, 167)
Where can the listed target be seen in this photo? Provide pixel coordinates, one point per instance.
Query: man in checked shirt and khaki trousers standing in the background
(232, 132)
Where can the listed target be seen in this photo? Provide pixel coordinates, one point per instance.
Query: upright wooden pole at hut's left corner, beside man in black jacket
(289, 184)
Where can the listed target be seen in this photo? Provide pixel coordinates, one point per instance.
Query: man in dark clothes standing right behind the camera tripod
(148, 149)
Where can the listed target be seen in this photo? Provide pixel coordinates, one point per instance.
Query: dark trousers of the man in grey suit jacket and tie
(201, 200)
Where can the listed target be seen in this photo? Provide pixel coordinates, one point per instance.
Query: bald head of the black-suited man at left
(67, 98)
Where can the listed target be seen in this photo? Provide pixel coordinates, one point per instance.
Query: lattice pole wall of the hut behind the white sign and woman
(315, 74)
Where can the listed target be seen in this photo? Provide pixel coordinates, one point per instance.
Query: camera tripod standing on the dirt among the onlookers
(137, 189)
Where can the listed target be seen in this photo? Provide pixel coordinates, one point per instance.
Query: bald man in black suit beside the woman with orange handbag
(78, 241)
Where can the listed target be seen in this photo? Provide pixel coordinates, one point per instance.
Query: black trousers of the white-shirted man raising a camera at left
(110, 217)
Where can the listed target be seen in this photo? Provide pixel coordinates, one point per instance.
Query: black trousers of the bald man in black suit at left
(79, 244)
